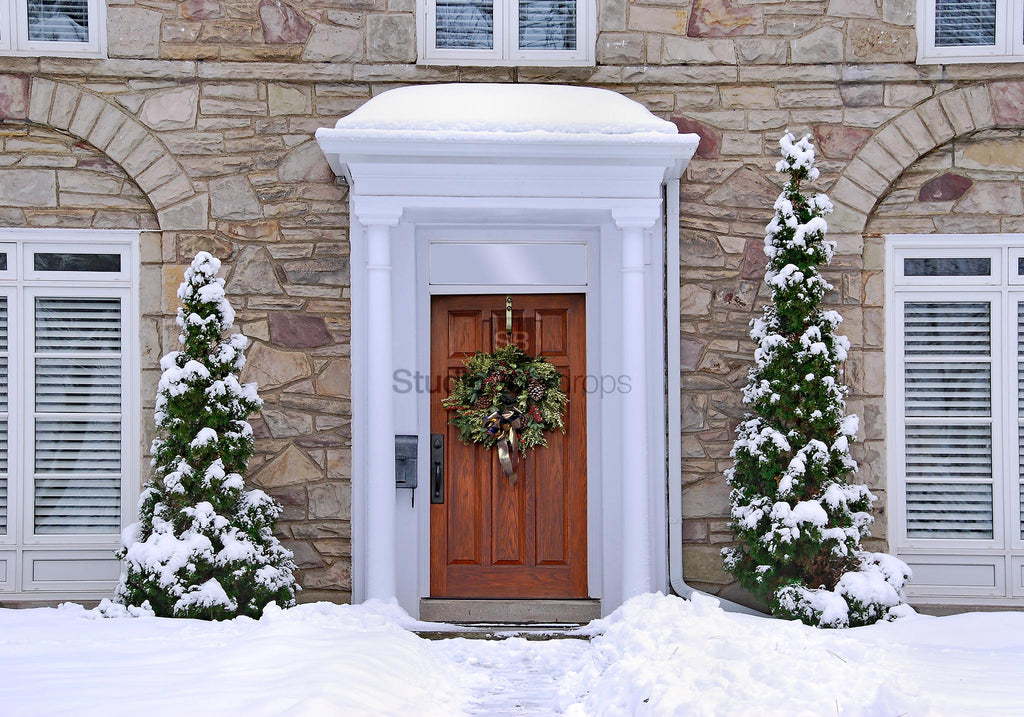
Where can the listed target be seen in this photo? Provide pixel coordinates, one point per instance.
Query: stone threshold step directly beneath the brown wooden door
(462, 611)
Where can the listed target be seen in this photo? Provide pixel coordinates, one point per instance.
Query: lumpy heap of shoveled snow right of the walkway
(665, 656)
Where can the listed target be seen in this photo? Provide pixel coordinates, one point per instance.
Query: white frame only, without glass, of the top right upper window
(1009, 46)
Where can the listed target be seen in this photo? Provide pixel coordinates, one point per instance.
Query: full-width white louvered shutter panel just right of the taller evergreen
(948, 378)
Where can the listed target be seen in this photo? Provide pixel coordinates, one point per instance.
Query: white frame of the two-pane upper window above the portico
(505, 52)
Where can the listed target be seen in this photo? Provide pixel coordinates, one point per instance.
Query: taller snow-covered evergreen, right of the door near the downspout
(798, 520)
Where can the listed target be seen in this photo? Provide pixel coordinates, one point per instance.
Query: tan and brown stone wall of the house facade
(199, 131)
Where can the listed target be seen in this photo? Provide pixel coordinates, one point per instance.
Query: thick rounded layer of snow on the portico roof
(505, 113)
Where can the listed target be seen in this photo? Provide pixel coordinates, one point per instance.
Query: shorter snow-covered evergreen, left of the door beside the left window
(204, 546)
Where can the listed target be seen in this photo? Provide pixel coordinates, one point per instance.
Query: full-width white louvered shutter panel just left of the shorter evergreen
(77, 390)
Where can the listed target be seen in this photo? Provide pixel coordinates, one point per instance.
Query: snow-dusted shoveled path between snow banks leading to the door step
(517, 677)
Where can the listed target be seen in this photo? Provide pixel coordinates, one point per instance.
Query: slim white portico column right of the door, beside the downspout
(637, 576)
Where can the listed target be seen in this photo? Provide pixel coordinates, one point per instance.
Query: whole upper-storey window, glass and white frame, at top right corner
(971, 31)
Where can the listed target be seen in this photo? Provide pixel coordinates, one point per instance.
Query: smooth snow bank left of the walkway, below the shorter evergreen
(311, 661)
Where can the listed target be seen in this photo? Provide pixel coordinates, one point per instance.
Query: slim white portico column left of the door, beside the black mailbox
(381, 559)
